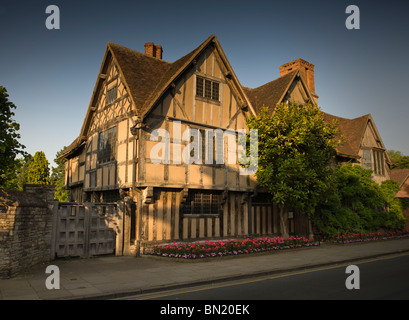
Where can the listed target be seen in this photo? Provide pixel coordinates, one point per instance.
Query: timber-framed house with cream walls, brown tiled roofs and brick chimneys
(135, 95)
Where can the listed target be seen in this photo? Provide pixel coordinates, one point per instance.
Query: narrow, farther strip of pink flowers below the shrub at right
(362, 237)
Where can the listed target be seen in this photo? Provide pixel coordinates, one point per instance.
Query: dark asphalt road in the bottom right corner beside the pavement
(384, 278)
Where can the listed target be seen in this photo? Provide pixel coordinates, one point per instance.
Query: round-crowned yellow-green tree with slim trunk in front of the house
(296, 146)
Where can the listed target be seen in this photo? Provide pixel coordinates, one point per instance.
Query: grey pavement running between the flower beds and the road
(110, 277)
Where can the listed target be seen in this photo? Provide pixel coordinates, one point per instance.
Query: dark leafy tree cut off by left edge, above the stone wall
(10, 147)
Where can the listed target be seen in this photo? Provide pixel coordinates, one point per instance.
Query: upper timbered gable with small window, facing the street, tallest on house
(182, 101)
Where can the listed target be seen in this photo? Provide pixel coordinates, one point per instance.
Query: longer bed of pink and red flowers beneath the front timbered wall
(220, 248)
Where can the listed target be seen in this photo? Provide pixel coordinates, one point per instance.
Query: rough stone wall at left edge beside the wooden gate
(25, 229)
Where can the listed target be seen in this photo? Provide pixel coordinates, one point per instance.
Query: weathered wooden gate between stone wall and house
(84, 230)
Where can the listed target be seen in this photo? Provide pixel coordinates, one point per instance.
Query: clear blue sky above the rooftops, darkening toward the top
(50, 74)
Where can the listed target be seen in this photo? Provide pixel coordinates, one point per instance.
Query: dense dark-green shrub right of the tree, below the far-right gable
(358, 204)
